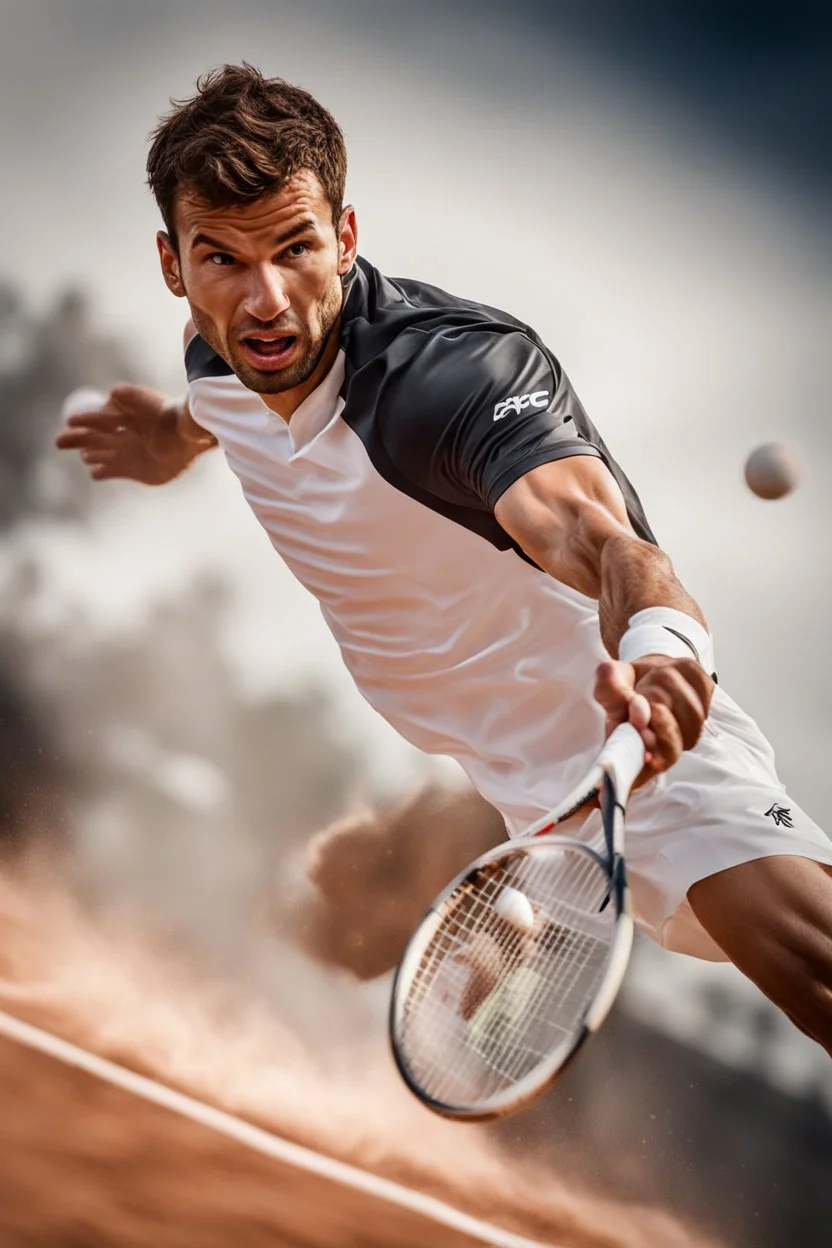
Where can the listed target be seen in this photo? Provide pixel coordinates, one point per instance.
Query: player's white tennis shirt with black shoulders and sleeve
(380, 496)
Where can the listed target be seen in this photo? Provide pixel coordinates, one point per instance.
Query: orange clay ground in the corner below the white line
(85, 1165)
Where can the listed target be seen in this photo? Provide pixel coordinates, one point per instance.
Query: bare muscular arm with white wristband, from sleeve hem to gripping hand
(569, 516)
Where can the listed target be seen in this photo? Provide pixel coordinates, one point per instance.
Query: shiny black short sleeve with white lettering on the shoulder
(480, 410)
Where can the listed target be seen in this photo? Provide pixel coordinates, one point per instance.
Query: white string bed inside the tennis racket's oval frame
(490, 1002)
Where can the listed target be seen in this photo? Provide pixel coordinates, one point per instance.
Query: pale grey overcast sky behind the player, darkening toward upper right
(674, 261)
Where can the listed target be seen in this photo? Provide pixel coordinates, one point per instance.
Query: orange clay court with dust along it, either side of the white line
(87, 1165)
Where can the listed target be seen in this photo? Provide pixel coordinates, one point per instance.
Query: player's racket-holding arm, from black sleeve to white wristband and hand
(491, 421)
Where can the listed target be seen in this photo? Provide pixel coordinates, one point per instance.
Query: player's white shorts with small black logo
(719, 807)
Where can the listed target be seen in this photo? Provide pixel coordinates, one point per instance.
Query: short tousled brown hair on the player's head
(244, 135)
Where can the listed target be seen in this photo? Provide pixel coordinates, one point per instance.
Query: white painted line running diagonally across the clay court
(263, 1141)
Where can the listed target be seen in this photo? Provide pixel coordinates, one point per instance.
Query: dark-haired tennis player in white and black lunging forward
(426, 470)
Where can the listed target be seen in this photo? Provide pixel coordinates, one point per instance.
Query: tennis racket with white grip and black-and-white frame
(521, 959)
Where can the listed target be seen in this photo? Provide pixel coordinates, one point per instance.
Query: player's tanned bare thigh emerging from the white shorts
(774, 919)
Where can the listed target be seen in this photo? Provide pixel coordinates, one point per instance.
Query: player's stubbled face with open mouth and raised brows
(264, 281)
